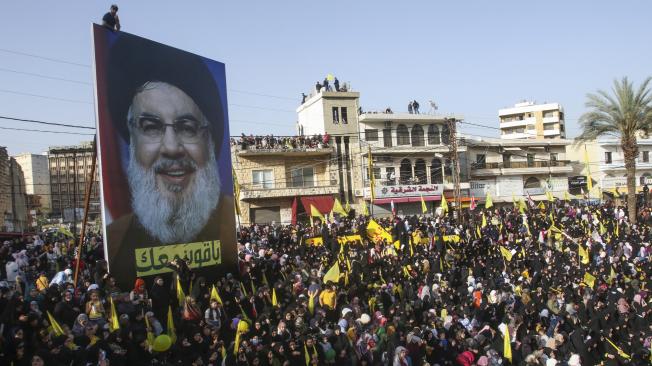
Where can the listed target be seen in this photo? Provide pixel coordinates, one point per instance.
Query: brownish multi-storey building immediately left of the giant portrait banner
(70, 167)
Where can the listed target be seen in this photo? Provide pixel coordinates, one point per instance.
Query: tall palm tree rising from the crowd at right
(625, 114)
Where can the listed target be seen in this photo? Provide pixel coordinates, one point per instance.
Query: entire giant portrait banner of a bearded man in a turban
(165, 163)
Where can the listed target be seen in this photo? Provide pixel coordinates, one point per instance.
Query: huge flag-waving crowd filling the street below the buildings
(567, 284)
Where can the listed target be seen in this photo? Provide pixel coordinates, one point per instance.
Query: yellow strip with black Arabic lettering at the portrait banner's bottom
(154, 260)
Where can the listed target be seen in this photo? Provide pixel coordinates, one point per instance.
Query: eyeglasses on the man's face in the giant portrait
(152, 130)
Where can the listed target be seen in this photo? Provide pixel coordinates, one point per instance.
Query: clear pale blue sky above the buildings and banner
(471, 57)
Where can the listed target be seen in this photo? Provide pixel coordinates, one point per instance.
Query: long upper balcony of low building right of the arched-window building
(521, 167)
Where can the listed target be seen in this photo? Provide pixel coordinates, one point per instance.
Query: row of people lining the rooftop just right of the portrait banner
(278, 142)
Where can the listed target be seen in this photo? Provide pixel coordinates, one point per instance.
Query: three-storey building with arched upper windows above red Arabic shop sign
(411, 159)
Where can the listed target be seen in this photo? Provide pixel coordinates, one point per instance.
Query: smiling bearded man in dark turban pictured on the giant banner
(166, 105)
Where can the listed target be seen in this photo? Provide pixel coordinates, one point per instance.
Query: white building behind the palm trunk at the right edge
(606, 165)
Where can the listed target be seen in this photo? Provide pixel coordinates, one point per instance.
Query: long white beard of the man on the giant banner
(173, 220)
